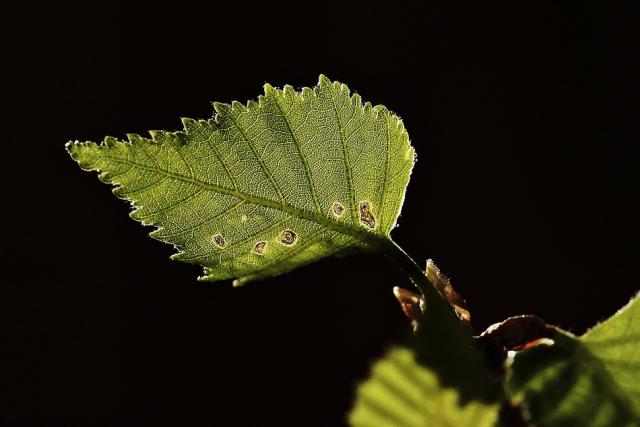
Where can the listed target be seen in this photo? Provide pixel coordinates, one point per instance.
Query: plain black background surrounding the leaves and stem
(523, 117)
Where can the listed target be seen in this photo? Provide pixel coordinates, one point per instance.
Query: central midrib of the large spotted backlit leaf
(370, 238)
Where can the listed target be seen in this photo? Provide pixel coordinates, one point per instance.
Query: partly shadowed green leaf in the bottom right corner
(593, 380)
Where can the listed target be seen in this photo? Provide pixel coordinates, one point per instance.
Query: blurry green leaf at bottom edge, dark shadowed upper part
(439, 379)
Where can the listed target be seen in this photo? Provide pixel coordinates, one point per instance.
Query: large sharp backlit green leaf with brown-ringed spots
(265, 187)
